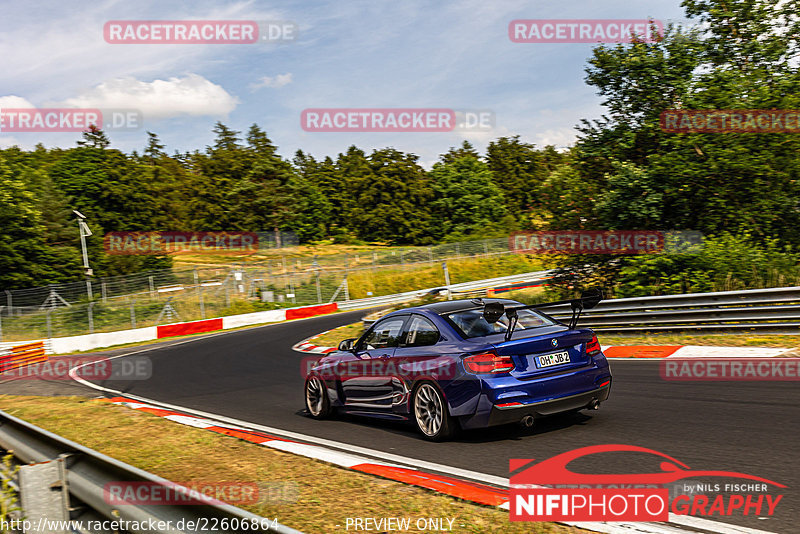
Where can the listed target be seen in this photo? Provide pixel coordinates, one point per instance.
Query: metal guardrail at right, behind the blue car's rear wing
(775, 310)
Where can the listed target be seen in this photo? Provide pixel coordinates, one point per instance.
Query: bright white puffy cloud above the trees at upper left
(191, 95)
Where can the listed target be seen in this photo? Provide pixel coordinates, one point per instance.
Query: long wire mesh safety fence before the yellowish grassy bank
(214, 292)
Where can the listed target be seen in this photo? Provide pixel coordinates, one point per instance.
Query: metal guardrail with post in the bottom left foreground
(85, 472)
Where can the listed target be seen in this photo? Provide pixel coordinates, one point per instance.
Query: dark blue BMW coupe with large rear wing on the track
(464, 364)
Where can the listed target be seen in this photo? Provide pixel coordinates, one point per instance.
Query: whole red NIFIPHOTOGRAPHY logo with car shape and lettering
(548, 491)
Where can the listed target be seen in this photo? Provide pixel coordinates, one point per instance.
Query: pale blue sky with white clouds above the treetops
(345, 54)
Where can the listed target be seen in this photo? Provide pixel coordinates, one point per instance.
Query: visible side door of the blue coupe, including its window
(365, 383)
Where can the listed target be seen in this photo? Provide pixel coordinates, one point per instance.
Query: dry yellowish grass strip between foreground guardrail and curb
(325, 495)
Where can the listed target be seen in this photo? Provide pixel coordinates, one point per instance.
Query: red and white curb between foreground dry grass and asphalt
(398, 469)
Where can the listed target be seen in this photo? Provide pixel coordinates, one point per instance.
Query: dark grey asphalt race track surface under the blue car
(750, 427)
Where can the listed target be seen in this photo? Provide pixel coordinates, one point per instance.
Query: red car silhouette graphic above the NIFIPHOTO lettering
(554, 470)
